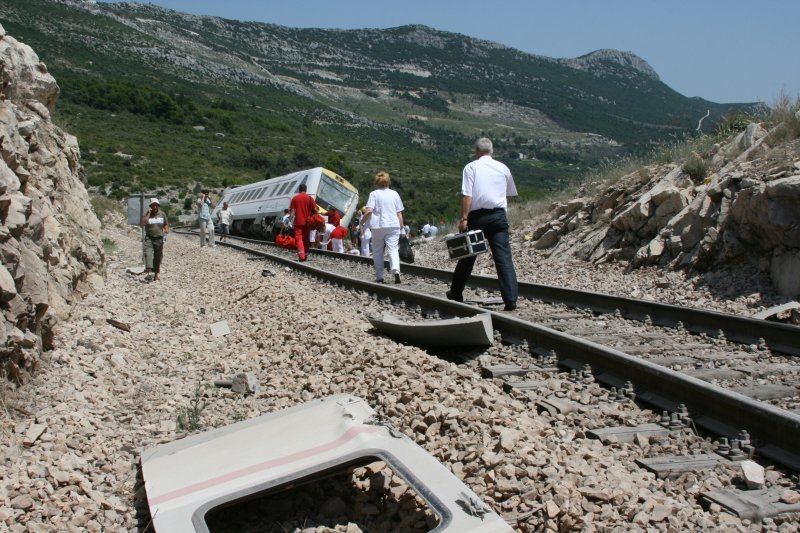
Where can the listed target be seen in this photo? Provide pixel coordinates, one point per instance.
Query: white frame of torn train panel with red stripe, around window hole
(188, 478)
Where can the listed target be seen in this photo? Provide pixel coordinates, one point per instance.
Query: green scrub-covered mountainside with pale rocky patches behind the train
(164, 99)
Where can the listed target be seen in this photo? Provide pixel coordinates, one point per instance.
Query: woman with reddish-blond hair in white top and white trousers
(384, 214)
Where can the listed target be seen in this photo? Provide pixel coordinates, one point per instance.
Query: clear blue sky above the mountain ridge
(720, 50)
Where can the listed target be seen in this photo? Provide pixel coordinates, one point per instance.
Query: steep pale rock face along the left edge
(49, 236)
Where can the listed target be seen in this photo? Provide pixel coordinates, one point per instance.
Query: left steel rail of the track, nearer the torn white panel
(775, 431)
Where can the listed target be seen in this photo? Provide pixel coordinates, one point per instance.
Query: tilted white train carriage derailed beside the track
(258, 207)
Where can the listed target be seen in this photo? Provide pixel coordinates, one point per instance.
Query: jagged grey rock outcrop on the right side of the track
(746, 209)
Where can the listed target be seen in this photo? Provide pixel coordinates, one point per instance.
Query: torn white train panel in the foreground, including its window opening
(313, 459)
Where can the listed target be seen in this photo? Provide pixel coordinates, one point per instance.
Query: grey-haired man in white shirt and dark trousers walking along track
(485, 186)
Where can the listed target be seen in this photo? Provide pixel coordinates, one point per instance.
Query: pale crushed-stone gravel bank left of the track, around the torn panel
(71, 437)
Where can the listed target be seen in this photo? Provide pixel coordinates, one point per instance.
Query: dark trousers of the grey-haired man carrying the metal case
(494, 224)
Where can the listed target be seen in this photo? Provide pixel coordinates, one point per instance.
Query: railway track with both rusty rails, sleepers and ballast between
(731, 376)
